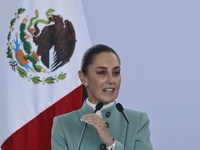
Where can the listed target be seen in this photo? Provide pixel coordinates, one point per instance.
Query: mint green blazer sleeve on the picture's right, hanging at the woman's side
(143, 136)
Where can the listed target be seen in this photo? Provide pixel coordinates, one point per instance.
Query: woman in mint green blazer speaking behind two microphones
(105, 129)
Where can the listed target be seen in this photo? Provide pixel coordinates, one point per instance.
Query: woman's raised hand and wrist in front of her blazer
(99, 124)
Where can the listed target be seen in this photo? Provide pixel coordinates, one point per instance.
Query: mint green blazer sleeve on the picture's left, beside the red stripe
(58, 140)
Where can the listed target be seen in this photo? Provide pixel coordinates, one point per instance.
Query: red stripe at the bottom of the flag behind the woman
(36, 134)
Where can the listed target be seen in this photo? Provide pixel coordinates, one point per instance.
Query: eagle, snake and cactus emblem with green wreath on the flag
(34, 40)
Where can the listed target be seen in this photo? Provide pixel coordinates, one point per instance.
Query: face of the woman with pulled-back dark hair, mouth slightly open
(103, 78)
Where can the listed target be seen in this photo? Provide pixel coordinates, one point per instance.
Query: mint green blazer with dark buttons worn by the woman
(67, 129)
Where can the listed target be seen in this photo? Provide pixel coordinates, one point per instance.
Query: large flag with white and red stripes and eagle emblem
(42, 43)
